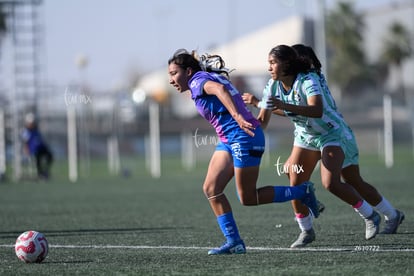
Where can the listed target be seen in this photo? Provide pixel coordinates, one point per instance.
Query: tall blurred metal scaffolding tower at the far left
(25, 31)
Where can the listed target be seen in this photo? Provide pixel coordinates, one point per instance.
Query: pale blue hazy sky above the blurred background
(120, 37)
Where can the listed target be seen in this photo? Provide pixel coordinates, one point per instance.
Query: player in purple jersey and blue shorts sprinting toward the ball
(241, 144)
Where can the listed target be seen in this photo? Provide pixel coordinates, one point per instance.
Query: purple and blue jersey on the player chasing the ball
(212, 109)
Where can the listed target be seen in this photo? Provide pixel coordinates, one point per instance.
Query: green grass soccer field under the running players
(107, 225)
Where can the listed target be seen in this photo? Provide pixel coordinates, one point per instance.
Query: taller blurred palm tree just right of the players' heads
(347, 66)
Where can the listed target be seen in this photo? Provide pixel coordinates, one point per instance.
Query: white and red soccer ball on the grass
(31, 247)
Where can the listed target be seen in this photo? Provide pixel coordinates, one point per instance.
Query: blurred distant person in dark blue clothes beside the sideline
(36, 147)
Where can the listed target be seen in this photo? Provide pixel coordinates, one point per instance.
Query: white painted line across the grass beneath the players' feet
(312, 249)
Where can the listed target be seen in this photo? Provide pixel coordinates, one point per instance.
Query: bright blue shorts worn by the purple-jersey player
(246, 150)
